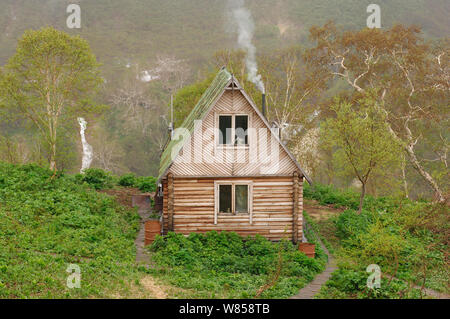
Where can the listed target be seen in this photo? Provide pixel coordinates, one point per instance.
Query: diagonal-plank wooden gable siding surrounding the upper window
(237, 161)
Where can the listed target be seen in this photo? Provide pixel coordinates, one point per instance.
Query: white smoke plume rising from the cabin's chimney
(242, 21)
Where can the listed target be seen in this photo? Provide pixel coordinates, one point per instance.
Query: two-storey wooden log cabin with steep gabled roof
(225, 169)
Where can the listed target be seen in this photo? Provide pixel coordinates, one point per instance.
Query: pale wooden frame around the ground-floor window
(248, 183)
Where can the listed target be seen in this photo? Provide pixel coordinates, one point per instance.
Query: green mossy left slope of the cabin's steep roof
(211, 94)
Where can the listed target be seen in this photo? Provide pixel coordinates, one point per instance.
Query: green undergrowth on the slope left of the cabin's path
(55, 222)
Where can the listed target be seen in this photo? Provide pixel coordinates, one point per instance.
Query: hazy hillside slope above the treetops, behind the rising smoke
(123, 31)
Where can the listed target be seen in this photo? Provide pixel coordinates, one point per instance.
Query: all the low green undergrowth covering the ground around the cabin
(48, 223)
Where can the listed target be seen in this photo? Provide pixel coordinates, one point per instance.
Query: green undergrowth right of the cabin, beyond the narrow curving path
(408, 240)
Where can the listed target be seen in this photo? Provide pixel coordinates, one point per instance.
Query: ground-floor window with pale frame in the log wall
(233, 198)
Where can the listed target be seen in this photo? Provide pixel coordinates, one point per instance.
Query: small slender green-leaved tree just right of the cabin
(361, 139)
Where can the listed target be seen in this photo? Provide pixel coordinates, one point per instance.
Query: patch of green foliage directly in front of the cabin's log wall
(227, 265)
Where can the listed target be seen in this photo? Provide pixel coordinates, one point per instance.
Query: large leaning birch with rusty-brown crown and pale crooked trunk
(412, 79)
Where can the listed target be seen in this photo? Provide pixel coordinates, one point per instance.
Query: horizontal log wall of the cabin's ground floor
(272, 207)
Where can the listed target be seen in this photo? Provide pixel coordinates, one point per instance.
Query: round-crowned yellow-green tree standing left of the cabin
(49, 80)
